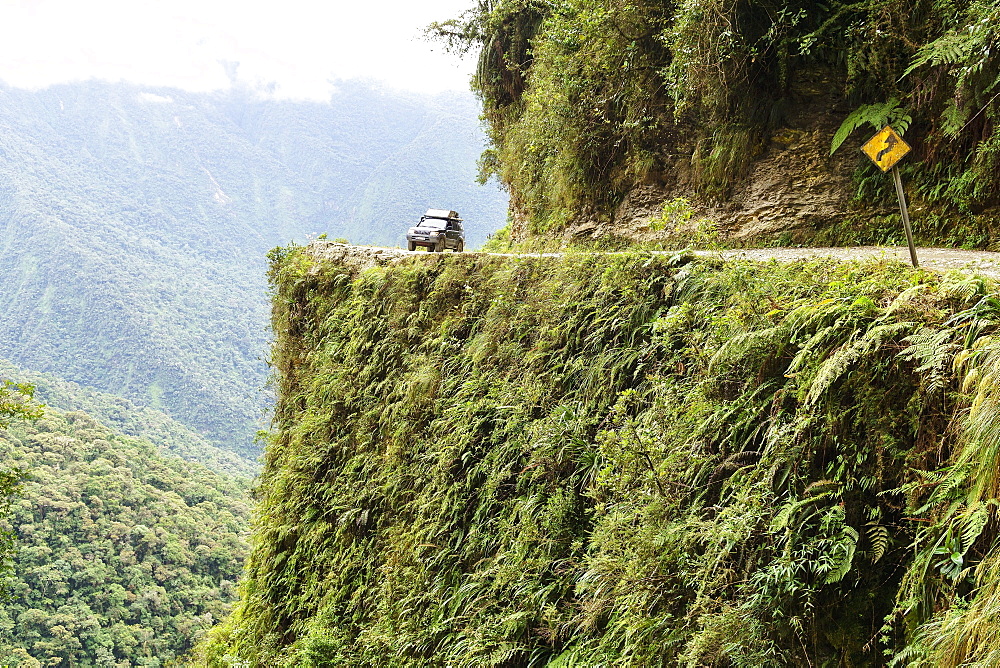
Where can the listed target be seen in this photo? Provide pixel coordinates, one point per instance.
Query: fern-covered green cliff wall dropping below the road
(626, 460)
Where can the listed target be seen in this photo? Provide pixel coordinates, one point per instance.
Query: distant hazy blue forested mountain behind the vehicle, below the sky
(134, 225)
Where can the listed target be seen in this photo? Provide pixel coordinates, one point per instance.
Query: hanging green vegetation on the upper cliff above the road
(586, 99)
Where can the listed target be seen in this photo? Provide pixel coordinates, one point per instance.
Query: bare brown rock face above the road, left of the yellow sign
(791, 189)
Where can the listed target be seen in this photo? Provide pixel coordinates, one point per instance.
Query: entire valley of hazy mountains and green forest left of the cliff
(136, 224)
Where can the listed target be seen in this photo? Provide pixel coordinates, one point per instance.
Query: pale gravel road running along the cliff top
(983, 263)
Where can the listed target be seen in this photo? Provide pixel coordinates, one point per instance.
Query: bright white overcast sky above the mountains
(298, 45)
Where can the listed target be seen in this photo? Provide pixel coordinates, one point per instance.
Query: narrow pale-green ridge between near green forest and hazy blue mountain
(131, 420)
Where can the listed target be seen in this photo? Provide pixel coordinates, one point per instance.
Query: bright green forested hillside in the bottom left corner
(124, 555)
